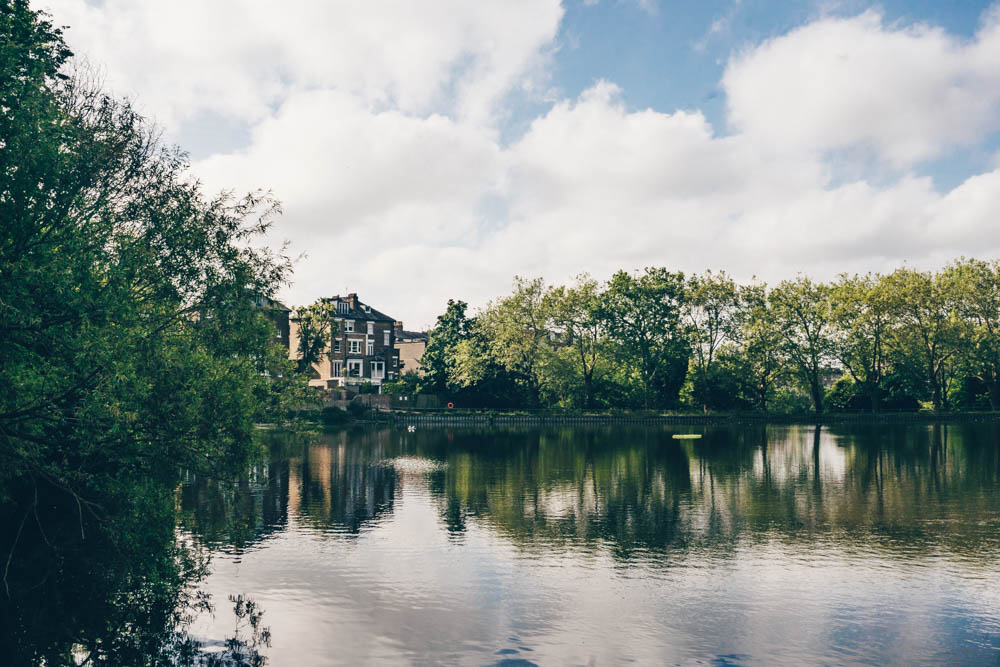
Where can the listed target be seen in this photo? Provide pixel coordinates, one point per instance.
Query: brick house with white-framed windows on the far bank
(362, 348)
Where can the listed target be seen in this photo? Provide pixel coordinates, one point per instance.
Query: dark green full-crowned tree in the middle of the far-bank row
(643, 315)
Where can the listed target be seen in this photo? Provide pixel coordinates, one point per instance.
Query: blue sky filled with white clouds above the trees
(431, 150)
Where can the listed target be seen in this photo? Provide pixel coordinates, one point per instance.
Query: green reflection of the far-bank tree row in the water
(898, 489)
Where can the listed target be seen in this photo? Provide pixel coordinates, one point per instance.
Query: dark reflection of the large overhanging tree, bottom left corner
(114, 591)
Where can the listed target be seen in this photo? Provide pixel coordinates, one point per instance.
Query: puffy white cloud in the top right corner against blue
(906, 93)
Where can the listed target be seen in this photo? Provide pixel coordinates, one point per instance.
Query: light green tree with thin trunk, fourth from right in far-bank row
(802, 311)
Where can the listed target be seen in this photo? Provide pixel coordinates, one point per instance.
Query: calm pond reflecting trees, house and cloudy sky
(757, 545)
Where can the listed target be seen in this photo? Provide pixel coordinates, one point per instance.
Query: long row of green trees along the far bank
(657, 339)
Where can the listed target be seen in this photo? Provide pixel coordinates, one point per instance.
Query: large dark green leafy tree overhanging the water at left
(132, 345)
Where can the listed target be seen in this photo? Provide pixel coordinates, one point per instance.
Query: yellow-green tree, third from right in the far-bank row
(861, 321)
